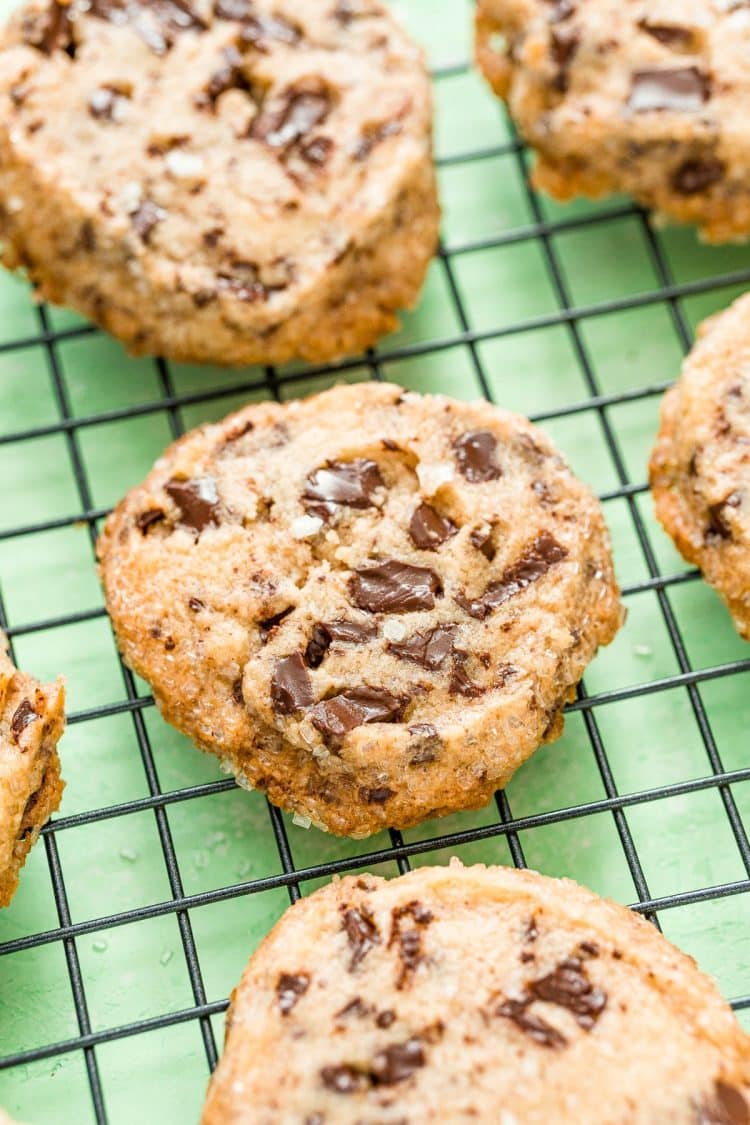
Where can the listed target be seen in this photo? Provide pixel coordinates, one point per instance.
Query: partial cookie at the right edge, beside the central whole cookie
(701, 464)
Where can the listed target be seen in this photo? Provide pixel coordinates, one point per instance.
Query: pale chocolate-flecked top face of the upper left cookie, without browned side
(233, 150)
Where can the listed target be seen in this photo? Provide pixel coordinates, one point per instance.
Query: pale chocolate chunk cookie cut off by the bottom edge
(476, 994)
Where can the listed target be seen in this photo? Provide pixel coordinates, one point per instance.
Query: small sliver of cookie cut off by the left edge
(32, 722)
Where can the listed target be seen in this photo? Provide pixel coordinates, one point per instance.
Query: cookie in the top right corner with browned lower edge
(647, 97)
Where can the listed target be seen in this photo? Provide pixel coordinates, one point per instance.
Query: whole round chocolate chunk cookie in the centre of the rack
(372, 605)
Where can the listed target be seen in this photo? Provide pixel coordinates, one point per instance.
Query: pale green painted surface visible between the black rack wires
(139, 970)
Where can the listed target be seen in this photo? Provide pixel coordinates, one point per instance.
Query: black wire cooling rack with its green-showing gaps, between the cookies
(158, 878)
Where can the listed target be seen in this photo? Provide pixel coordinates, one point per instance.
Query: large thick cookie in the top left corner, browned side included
(233, 182)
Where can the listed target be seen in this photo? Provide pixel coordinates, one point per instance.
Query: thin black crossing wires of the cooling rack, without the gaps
(597, 404)
